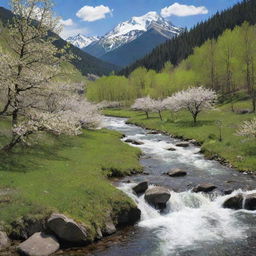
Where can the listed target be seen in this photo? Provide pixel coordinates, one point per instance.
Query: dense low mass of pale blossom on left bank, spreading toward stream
(55, 110)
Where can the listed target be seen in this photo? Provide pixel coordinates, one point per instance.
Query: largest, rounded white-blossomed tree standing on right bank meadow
(194, 100)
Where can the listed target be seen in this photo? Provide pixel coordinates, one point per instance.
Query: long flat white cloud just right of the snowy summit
(183, 10)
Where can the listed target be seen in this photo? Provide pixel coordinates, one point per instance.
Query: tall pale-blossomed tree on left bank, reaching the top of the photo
(26, 73)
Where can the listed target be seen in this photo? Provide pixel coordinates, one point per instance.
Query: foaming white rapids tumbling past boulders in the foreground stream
(190, 219)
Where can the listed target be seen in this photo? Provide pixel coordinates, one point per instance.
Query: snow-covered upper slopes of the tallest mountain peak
(130, 30)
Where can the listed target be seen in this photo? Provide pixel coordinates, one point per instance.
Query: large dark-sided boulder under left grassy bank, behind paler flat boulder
(67, 229)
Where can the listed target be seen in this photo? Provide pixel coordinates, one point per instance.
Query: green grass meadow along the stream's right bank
(239, 151)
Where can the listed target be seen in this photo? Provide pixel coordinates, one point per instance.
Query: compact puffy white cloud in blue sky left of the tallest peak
(90, 13)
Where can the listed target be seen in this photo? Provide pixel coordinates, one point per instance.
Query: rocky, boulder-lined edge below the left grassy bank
(44, 236)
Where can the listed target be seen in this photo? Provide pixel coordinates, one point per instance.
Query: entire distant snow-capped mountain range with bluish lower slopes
(129, 40)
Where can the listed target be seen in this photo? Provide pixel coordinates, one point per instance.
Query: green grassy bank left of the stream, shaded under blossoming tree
(67, 175)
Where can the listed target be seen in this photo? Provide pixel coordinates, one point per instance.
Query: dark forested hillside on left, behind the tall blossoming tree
(85, 63)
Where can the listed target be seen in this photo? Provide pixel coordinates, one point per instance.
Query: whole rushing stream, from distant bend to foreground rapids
(193, 224)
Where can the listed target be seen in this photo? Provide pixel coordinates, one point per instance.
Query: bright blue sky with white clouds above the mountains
(100, 16)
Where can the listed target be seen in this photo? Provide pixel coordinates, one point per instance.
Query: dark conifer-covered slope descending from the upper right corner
(179, 48)
